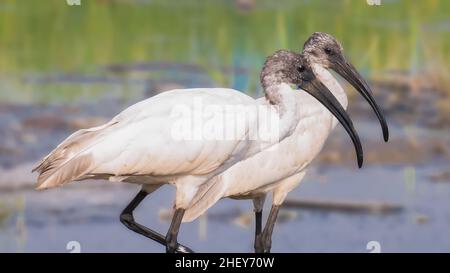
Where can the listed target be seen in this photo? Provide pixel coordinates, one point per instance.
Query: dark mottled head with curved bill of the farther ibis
(325, 50)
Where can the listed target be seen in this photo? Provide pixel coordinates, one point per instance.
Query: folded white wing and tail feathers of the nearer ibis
(145, 140)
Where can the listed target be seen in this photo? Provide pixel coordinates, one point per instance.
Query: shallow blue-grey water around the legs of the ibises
(88, 213)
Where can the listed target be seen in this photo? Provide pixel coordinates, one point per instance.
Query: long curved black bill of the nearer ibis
(325, 97)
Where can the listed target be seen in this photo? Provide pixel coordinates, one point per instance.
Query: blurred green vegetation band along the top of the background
(50, 36)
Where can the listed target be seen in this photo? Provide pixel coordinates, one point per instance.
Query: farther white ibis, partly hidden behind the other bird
(280, 169)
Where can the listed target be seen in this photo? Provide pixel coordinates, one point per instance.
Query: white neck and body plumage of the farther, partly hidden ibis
(280, 168)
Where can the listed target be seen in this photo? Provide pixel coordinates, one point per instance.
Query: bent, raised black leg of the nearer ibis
(126, 217)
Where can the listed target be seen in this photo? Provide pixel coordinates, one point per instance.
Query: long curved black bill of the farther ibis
(349, 72)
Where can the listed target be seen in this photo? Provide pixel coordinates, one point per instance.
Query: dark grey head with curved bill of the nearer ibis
(295, 69)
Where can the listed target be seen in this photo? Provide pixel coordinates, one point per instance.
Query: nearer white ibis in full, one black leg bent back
(138, 145)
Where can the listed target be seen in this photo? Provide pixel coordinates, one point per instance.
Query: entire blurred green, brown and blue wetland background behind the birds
(65, 67)
